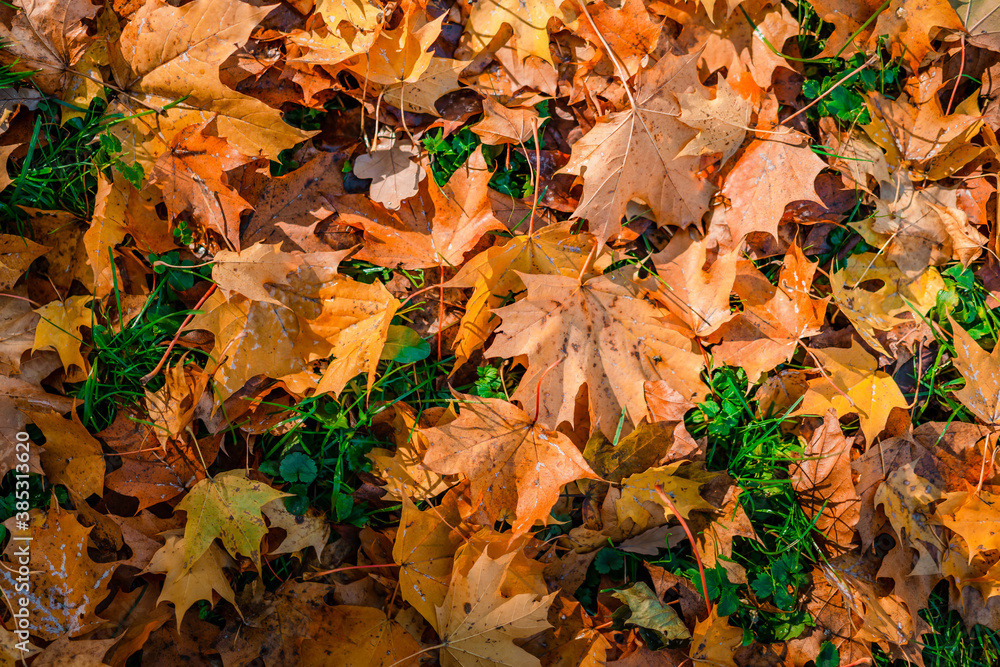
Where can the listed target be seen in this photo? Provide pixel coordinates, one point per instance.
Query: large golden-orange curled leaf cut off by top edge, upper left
(203, 34)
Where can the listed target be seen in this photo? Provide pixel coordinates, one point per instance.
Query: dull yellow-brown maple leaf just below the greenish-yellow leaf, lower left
(186, 585)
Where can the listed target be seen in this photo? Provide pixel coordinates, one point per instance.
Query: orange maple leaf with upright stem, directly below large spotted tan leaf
(516, 467)
